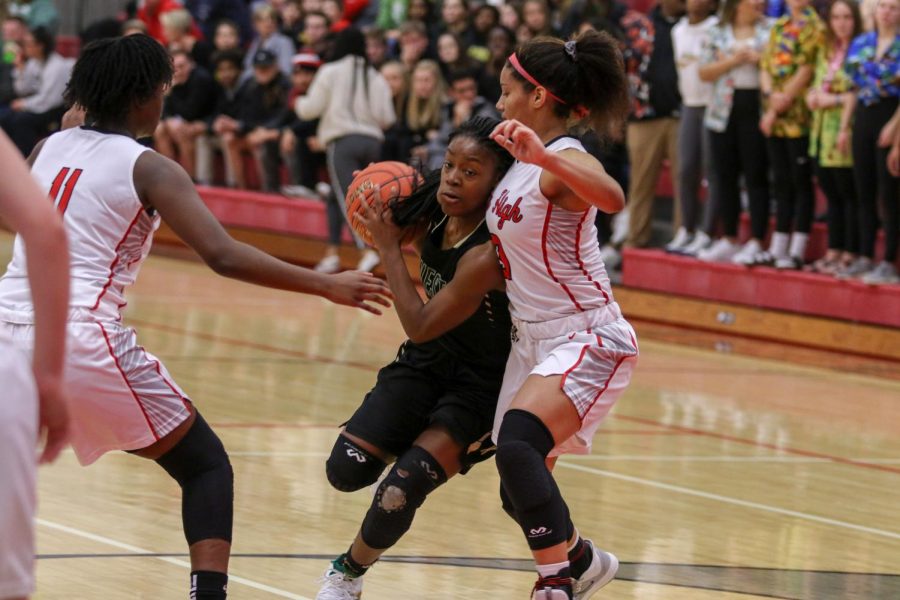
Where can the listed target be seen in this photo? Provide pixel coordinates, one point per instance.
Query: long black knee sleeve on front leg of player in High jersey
(522, 448)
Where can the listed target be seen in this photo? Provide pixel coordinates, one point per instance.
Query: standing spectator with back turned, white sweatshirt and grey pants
(353, 102)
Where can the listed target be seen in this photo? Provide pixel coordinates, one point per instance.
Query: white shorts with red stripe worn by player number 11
(122, 397)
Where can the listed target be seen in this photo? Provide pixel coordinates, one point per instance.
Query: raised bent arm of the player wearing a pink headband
(571, 178)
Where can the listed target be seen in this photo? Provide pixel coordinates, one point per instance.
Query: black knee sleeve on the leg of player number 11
(200, 465)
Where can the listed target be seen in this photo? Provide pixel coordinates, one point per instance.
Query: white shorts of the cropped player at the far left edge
(18, 466)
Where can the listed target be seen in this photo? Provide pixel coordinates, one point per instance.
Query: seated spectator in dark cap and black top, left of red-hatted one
(263, 113)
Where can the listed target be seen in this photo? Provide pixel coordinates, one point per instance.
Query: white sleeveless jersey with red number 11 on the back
(89, 176)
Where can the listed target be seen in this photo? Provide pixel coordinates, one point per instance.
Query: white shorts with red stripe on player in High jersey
(595, 353)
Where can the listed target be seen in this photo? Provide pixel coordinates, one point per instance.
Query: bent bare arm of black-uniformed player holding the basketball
(477, 273)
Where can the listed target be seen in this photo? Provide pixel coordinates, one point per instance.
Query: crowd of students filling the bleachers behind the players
(752, 105)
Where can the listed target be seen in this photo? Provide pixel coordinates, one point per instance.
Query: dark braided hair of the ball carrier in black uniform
(422, 206)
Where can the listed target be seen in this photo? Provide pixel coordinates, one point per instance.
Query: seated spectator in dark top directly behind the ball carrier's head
(464, 104)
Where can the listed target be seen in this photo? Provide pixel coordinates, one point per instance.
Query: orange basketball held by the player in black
(397, 181)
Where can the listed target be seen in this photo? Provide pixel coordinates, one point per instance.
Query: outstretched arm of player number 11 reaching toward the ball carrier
(163, 184)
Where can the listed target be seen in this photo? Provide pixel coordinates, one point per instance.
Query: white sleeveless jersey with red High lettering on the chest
(550, 256)
